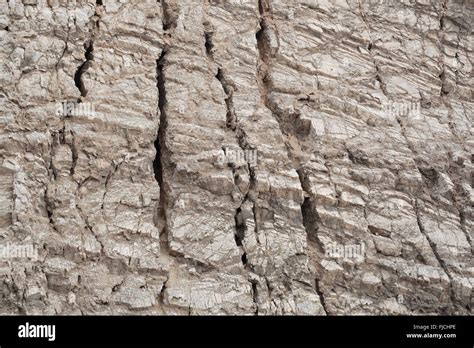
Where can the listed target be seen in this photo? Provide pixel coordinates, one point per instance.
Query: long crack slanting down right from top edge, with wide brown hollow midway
(288, 122)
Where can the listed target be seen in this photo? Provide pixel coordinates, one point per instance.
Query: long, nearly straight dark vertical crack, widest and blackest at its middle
(160, 146)
